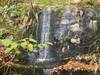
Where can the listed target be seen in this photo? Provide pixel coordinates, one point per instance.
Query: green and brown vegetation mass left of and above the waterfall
(13, 40)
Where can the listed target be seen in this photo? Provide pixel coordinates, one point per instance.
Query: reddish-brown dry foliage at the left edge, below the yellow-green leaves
(5, 59)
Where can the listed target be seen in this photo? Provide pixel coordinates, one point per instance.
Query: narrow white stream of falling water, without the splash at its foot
(45, 32)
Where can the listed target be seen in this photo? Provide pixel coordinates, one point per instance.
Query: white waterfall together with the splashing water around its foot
(45, 54)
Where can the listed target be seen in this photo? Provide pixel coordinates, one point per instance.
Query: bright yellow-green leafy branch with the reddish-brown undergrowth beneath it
(11, 51)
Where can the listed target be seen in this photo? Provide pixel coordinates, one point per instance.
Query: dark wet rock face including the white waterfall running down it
(68, 36)
